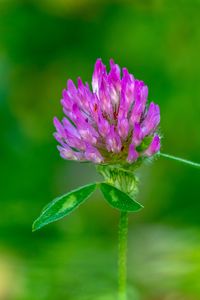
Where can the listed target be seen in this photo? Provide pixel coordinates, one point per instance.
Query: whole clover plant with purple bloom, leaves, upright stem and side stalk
(114, 127)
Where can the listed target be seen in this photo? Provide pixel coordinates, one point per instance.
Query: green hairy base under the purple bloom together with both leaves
(119, 190)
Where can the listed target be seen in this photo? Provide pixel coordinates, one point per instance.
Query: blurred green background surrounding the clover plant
(42, 44)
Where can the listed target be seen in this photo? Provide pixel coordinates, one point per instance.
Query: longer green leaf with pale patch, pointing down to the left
(63, 205)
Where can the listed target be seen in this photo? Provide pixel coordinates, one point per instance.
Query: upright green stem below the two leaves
(122, 258)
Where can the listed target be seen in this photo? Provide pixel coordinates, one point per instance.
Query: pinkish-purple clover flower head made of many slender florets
(111, 123)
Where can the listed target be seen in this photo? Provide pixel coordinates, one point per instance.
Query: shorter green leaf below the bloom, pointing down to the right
(118, 199)
